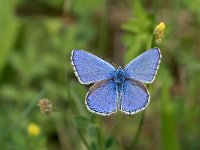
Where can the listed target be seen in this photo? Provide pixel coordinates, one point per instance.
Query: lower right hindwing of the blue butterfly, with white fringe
(135, 97)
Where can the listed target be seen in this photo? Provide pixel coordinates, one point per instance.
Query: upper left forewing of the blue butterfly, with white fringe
(89, 68)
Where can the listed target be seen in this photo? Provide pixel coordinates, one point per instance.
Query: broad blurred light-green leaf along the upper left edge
(8, 30)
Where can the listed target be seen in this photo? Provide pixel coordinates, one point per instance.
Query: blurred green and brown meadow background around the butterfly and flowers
(36, 40)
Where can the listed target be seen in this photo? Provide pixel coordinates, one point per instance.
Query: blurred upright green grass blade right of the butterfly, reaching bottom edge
(169, 138)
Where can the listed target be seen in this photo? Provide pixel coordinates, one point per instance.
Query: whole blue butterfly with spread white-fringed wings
(116, 89)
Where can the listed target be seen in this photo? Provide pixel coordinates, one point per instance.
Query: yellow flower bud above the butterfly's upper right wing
(159, 32)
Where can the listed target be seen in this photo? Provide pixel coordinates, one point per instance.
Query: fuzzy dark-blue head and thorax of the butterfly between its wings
(119, 76)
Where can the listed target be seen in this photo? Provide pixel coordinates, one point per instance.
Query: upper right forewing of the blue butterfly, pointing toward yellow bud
(144, 67)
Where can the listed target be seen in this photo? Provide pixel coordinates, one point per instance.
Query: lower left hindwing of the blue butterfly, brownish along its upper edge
(101, 98)
